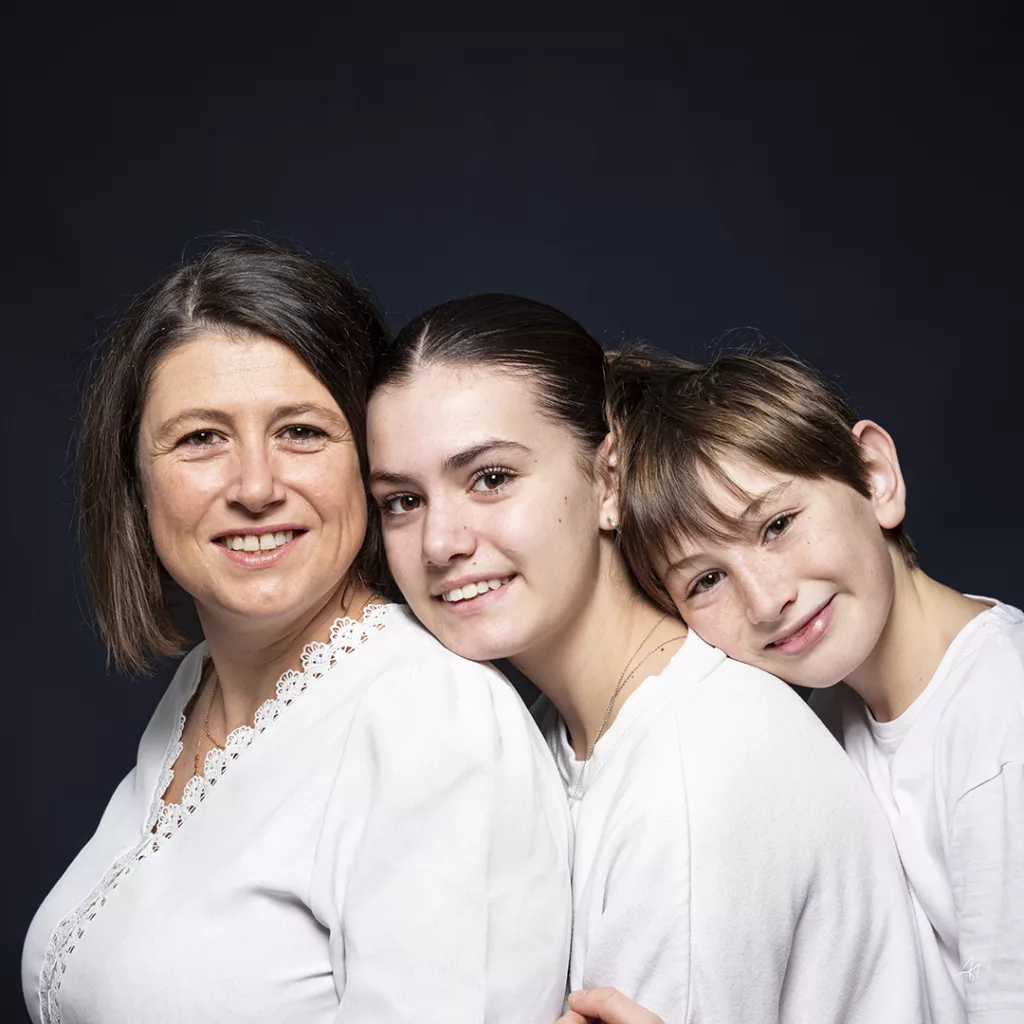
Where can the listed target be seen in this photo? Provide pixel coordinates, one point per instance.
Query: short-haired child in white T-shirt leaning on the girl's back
(756, 504)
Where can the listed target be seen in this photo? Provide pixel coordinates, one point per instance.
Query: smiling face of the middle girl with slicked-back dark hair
(492, 527)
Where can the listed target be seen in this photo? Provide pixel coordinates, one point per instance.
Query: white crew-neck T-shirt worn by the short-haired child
(950, 776)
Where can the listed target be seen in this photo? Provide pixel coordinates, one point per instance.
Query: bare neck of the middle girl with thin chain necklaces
(579, 667)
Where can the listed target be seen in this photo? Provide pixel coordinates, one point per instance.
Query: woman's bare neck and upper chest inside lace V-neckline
(250, 656)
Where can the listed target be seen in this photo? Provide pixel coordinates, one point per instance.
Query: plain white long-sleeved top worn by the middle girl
(731, 867)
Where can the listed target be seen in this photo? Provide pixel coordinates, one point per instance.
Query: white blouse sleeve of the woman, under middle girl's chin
(444, 865)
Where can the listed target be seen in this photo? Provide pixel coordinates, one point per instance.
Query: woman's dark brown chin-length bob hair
(241, 286)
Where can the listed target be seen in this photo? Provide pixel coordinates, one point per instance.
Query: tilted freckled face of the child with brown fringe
(805, 593)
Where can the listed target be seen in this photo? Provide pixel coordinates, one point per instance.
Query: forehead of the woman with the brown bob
(220, 370)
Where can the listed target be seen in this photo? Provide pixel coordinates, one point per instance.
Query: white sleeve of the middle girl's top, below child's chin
(798, 898)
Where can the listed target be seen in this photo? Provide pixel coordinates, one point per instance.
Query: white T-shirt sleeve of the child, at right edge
(987, 863)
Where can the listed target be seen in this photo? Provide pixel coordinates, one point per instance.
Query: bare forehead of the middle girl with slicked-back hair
(444, 409)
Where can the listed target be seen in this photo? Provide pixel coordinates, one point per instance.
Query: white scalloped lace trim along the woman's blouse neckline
(165, 820)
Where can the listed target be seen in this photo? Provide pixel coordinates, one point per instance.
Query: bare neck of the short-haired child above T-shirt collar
(924, 620)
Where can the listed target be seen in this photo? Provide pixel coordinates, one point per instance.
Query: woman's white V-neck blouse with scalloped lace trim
(389, 844)
